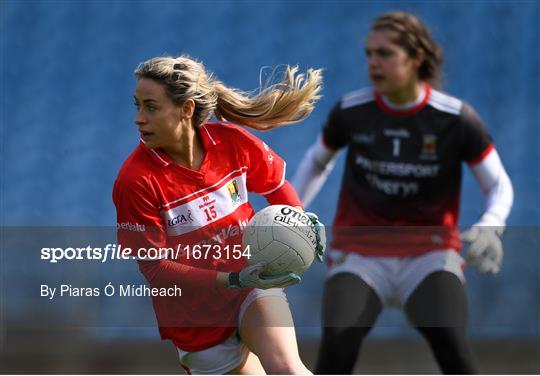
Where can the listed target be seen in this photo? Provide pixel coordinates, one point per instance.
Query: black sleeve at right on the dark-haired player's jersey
(476, 140)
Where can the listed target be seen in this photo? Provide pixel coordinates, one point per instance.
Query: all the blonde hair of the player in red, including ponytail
(288, 101)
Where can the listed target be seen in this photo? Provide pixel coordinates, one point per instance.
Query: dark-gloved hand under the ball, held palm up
(250, 277)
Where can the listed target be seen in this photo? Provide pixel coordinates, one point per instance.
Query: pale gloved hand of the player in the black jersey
(485, 251)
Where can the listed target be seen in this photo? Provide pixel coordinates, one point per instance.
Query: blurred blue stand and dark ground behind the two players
(67, 125)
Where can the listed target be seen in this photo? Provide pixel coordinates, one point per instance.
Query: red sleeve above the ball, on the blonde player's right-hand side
(266, 169)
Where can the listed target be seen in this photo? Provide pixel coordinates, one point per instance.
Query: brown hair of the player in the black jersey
(414, 36)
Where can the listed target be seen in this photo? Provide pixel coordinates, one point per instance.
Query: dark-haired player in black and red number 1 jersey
(395, 240)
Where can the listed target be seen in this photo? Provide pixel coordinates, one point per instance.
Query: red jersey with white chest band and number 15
(162, 204)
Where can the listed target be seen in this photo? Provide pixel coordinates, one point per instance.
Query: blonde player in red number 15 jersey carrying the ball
(185, 188)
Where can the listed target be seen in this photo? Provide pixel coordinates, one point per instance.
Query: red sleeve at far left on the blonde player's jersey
(139, 224)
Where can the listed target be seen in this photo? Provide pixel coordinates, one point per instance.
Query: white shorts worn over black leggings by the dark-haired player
(395, 278)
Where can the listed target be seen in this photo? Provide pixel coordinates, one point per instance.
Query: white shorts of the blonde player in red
(229, 354)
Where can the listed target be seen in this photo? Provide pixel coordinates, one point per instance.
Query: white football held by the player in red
(283, 237)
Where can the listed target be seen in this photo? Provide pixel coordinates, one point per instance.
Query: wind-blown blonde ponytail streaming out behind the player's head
(288, 101)
